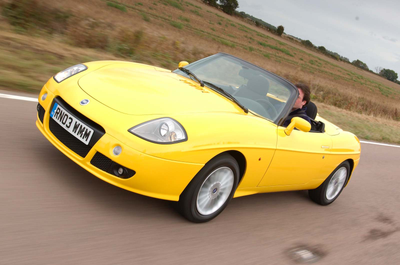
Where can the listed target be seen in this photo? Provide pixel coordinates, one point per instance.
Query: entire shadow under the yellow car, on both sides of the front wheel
(90, 189)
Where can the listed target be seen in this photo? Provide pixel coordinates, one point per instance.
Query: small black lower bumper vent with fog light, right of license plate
(105, 164)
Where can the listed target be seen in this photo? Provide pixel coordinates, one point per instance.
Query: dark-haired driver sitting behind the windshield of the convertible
(300, 106)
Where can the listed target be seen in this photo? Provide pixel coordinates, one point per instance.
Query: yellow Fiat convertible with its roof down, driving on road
(200, 135)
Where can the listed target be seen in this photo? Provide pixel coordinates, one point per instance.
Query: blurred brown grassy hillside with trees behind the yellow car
(39, 38)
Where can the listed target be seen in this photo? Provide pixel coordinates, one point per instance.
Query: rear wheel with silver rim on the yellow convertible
(328, 191)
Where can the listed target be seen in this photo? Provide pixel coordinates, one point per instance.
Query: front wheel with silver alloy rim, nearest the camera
(211, 189)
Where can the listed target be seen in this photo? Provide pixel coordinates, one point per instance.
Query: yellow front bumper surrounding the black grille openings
(154, 177)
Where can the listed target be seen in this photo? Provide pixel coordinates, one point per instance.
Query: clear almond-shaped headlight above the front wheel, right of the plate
(164, 131)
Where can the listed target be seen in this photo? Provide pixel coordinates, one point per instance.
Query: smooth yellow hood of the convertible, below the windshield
(139, 90)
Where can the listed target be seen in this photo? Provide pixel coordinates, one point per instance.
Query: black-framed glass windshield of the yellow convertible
(256, 89)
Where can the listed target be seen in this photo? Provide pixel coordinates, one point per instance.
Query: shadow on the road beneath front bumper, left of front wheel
(91, 189)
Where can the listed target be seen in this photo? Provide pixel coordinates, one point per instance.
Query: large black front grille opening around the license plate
(68, 139)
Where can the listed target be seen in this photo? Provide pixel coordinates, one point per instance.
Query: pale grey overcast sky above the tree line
(357, 29)
